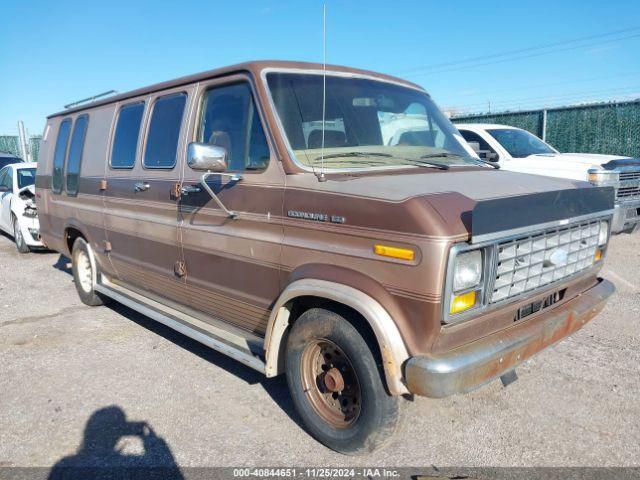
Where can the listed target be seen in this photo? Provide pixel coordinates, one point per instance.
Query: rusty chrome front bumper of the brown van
(467, 367)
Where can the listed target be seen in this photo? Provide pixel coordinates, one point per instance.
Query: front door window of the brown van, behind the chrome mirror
(230, 120)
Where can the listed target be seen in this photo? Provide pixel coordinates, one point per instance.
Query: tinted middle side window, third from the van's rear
(125, 140)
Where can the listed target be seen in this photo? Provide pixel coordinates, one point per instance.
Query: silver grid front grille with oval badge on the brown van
(529, 262)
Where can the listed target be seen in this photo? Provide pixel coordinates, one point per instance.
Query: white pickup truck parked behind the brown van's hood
(520, 151)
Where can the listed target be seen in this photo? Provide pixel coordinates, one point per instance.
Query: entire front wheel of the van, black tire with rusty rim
(337, 386)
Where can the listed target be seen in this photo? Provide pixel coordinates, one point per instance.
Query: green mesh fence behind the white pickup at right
(611, 128)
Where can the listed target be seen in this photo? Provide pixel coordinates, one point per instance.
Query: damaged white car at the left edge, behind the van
(18, 214)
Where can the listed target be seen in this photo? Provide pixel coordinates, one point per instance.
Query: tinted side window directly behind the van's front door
(164, 131)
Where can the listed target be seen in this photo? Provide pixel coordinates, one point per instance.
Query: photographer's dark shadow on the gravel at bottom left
(107, 451)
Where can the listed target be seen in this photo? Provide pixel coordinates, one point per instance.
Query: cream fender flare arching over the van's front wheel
(392, 346)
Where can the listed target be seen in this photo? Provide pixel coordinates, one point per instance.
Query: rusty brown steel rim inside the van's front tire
(331, 383)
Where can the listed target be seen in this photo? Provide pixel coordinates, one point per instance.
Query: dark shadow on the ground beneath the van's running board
(276, 387)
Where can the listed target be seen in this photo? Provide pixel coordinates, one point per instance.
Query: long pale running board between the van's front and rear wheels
(234, 345)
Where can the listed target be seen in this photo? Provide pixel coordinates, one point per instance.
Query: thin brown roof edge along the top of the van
(254, 67)
